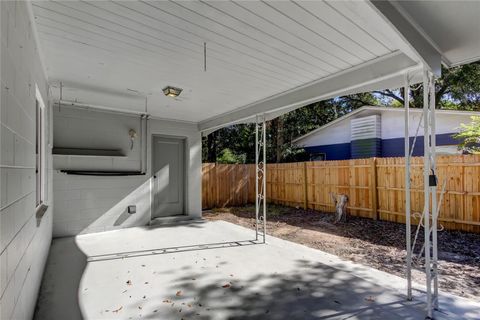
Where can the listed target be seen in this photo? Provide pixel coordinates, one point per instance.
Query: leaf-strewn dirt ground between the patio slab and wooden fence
(378, 244)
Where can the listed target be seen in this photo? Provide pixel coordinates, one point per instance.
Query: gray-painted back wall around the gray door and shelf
(85, 204)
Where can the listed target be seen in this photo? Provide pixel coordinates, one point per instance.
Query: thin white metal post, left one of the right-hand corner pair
(408, 231)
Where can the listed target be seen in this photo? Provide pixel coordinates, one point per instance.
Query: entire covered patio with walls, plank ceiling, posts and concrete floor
(104, 104)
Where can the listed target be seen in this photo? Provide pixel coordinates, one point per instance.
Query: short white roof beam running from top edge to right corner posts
(431, 57)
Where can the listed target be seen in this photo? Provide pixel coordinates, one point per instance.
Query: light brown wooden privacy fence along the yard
(375, 187)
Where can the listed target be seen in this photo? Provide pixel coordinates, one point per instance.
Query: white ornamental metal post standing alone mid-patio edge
(260, 177)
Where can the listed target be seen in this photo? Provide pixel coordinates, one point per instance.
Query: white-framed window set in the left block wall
(39, 150)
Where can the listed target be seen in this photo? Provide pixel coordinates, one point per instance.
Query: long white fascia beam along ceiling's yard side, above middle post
(380, 73)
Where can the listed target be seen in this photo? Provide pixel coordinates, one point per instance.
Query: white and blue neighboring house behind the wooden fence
(378, 132)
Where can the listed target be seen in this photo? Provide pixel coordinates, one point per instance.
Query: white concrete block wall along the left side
(24, 241)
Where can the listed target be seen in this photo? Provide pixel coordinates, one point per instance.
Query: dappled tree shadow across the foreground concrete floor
(317, 291)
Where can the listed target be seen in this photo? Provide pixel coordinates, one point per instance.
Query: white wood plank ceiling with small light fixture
(255, 50)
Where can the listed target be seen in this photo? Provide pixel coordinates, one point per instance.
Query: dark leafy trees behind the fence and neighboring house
(458, 88)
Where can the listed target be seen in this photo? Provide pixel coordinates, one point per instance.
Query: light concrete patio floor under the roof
(212, 270)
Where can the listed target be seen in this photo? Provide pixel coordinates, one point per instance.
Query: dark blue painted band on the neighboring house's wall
(389, 147)
